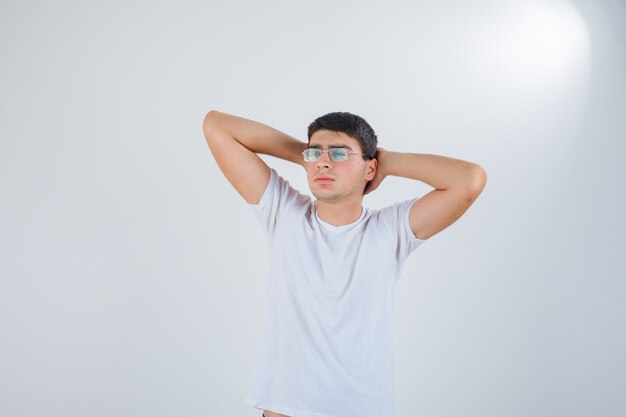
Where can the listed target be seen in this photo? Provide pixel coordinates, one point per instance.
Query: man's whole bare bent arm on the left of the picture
(235, 141)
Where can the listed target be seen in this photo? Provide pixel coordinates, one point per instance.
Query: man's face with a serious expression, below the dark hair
(348, 177)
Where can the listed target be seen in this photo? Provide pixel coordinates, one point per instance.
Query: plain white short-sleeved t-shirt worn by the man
(327, 346)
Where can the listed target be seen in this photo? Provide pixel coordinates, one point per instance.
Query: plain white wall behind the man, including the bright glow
(132, 275)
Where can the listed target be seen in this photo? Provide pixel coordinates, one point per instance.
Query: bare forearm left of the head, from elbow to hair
(256, 136)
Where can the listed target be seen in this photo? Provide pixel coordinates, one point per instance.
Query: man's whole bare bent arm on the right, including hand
(457, 185)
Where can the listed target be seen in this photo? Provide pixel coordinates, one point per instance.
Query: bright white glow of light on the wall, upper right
(535, 44)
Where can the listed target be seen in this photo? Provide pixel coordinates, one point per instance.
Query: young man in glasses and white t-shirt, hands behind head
(327, 347)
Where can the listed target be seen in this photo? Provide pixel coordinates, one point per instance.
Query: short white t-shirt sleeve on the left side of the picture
(276, 199)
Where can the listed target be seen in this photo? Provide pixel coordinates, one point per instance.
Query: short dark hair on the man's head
(352, 125)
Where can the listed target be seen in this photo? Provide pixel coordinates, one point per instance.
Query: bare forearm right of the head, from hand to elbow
(438, 171)
